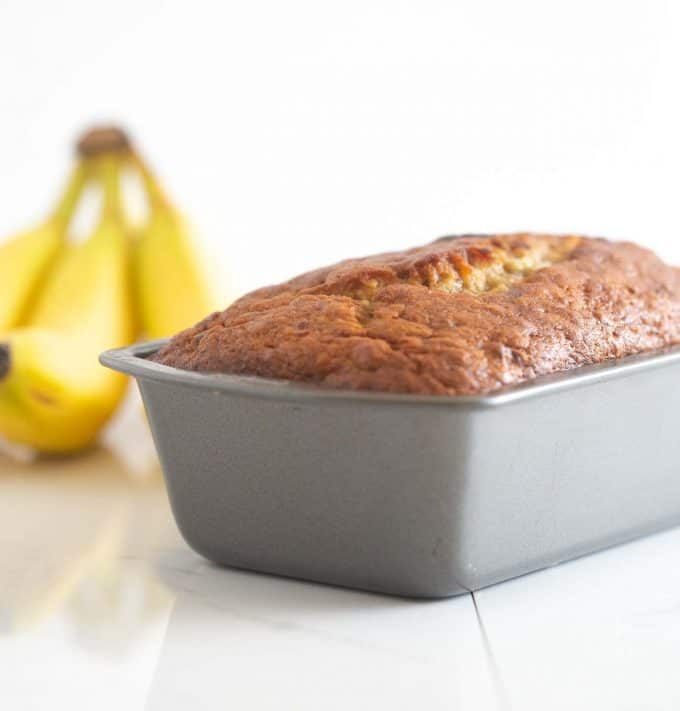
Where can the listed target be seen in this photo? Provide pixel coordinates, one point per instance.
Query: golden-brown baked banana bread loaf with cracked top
(460, 316)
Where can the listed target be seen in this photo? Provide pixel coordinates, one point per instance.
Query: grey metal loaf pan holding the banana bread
(410, 495)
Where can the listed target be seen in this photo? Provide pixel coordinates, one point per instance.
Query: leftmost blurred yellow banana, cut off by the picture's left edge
(26, 258)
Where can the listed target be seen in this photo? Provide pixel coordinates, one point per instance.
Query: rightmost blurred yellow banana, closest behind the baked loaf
(171, 285)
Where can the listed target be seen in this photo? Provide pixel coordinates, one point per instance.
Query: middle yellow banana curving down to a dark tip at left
(54, 396)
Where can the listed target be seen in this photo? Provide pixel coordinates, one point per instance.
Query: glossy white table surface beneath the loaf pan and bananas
(103, 606)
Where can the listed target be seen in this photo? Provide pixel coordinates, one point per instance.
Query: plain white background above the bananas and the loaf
(298, 133)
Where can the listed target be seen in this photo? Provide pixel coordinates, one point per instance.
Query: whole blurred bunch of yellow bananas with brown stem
(62, 302)
